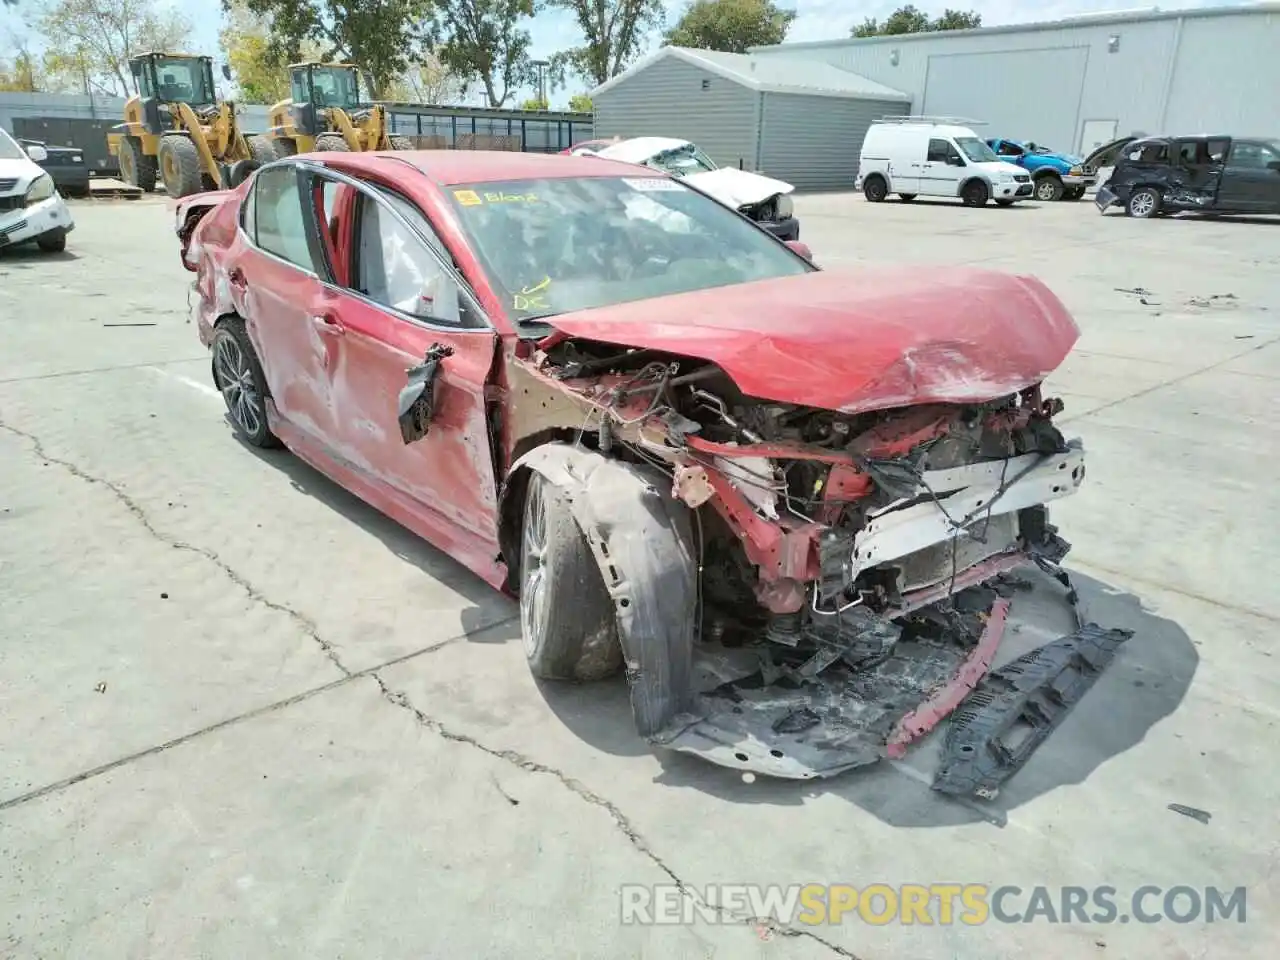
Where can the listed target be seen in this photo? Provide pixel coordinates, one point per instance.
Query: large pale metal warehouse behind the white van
(1077, 84)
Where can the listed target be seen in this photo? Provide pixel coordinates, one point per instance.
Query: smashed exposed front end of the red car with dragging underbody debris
(853, 573)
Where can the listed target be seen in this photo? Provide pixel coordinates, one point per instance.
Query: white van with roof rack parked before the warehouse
(936, 157)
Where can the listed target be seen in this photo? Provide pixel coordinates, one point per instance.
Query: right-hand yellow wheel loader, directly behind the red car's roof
(326, 112)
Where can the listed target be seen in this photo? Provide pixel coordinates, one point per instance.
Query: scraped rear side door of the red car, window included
(276, 282)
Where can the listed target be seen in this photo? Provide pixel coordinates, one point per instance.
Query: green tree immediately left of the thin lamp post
(483, 42)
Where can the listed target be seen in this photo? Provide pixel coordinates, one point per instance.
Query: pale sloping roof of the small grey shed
(769, 75)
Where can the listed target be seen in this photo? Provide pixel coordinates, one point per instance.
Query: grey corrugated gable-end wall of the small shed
(678, 99)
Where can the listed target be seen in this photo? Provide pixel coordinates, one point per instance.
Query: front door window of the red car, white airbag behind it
(395, 269)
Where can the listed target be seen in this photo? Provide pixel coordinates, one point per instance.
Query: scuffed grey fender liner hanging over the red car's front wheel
(643, 542)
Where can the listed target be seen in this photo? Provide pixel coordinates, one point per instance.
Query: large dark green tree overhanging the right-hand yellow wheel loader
(382, 36)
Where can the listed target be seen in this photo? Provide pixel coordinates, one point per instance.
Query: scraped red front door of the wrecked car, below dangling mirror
(399, 298)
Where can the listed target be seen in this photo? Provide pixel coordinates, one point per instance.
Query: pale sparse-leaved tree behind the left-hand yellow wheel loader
(90, 42)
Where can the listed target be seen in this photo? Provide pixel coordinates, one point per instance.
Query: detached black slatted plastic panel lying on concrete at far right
(1002, 724)
